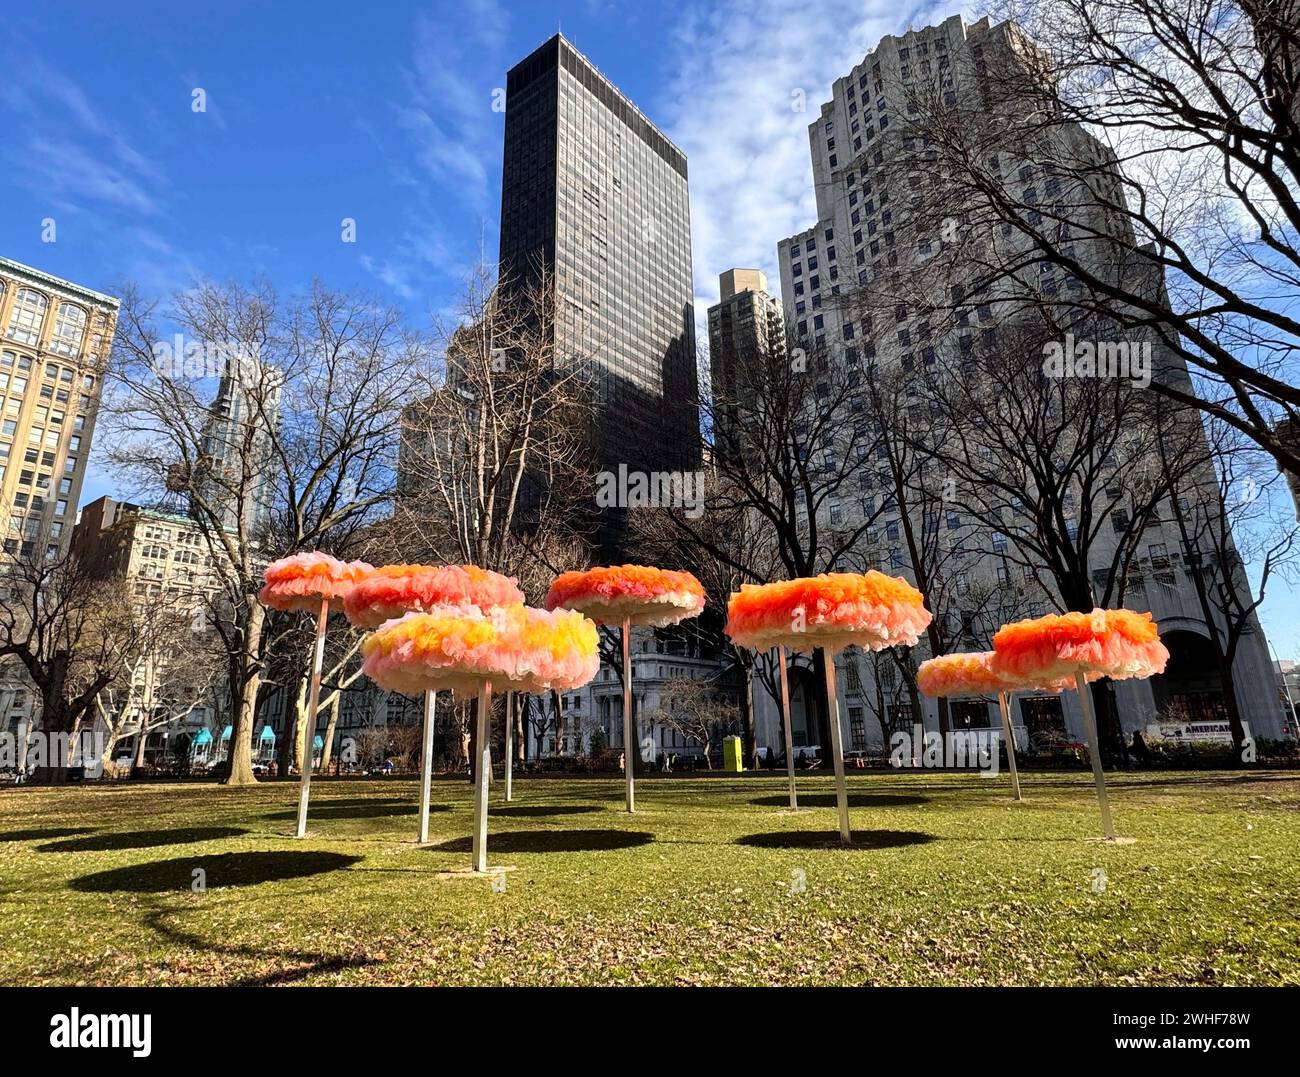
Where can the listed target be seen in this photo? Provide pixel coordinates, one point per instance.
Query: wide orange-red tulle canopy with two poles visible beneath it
(834, 611)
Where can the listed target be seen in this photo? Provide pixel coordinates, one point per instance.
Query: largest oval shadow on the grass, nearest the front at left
(220, 871)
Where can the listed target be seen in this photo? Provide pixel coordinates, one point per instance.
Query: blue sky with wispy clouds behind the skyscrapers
(384, 114)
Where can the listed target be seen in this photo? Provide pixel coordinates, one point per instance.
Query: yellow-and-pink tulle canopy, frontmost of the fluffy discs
(463, 647)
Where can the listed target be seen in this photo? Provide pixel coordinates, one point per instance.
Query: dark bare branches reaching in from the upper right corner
(1181, 222)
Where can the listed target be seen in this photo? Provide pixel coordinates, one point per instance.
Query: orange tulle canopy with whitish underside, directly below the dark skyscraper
(634, 592)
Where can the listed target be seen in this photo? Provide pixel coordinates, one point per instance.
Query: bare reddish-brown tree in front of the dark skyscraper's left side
(496, 457)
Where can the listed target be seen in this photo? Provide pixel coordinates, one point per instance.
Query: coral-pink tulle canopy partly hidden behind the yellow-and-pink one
(397, 590)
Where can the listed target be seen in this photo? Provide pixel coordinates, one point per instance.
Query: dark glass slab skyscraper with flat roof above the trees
(596, 196)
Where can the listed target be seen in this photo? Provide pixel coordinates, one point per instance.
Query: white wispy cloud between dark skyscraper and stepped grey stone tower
(731, 106)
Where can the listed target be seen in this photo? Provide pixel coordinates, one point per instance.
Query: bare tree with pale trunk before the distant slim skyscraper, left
(291, 444)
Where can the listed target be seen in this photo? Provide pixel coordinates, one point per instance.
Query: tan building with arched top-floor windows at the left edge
(54, 345)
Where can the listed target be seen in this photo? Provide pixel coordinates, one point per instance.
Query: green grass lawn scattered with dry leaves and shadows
(951, 883)
